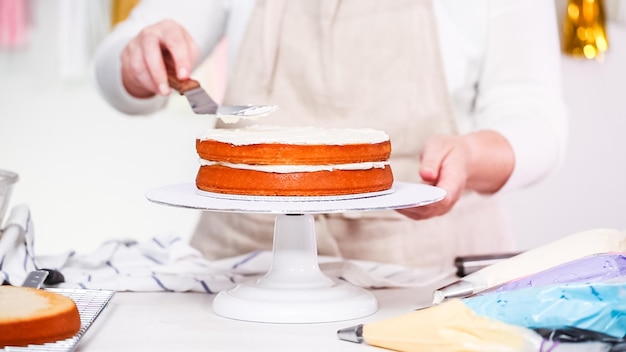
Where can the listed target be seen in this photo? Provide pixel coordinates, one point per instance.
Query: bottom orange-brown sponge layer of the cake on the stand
(220, 179)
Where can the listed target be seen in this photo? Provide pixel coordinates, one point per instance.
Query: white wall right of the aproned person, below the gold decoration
(589, 189)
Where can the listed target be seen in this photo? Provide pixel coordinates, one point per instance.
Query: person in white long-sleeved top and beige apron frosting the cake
(469, 92)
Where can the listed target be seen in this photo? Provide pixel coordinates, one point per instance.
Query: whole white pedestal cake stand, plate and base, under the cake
(295, 290)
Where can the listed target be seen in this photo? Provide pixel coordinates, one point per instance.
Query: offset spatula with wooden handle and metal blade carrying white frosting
(202, 103)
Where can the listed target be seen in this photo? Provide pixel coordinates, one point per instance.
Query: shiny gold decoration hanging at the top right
(584, 29)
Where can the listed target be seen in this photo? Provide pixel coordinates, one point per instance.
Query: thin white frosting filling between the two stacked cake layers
(285, 169)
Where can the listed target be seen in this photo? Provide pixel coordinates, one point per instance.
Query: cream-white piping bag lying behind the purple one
(539, 259)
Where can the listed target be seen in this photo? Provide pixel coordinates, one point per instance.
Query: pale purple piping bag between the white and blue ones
(593, 268)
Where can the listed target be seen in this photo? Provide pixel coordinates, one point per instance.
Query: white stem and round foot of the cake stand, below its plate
(295, 290)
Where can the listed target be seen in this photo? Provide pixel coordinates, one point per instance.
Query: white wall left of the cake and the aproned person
(84, 167)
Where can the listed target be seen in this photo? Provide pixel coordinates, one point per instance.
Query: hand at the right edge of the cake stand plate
(482, 161)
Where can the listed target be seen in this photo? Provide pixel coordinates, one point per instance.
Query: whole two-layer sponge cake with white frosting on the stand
(293, 161)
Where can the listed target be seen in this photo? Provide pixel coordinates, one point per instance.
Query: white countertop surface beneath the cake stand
(136, 321)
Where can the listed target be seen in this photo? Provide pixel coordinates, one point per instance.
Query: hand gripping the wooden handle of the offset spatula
(143, 71)
